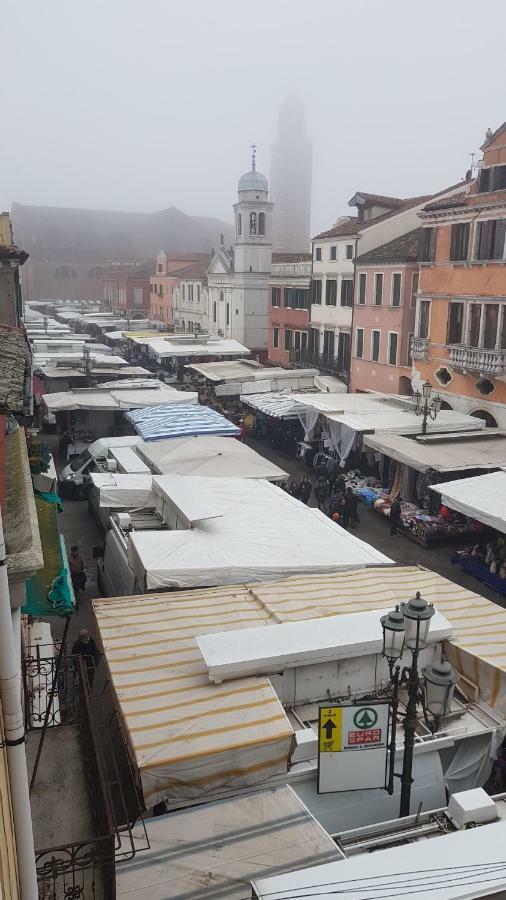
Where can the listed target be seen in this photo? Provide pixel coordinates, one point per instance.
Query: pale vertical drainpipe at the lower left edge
(10, 695)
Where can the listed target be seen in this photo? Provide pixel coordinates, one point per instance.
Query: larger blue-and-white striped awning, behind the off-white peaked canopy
(159, 422)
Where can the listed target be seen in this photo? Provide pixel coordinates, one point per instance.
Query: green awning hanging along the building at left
(49, 592)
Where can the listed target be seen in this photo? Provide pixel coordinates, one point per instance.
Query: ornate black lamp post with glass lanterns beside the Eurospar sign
(408, 626)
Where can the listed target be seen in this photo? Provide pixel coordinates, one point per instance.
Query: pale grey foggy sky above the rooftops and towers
(144, 104)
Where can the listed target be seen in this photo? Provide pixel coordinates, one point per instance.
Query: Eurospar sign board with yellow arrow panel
(352, 747)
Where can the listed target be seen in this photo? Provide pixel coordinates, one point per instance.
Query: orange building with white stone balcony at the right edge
(460, 326)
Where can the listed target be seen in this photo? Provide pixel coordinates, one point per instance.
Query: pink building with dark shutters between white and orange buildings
(386, 283)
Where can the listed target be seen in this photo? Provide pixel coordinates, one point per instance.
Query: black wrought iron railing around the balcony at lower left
(85, 870)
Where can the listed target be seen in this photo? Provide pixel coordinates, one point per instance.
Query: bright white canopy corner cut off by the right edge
(482, 497)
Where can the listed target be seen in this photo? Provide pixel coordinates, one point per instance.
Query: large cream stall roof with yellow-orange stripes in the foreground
(239, 727)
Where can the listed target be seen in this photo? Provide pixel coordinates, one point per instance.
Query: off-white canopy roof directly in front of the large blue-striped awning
(209, 456)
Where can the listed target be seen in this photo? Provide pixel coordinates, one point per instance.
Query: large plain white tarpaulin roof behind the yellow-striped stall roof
(263, 534)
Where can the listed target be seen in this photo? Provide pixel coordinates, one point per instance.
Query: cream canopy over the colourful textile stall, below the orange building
(444, 455)
